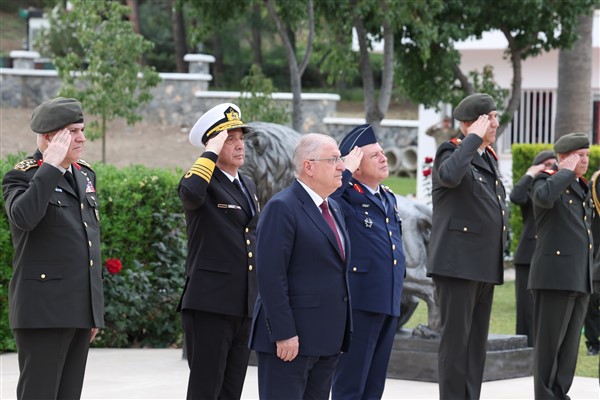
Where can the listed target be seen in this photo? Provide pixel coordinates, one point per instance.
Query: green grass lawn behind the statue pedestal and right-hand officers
(503, 321)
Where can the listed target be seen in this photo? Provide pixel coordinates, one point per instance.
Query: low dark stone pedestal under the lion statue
(415, 358)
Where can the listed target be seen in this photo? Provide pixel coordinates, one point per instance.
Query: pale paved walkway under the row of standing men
(162, 374)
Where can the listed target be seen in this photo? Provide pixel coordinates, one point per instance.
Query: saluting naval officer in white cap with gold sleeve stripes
(221, 210)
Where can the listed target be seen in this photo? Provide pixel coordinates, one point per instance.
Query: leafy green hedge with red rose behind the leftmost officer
(143, 227)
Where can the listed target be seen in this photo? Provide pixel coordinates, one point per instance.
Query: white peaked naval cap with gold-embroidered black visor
(219, 118)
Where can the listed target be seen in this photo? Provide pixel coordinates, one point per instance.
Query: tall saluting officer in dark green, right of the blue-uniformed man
(469, 233)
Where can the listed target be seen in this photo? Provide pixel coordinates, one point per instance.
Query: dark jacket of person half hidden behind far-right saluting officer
(521, 195)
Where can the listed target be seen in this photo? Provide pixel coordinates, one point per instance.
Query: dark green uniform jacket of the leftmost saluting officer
(57, 267)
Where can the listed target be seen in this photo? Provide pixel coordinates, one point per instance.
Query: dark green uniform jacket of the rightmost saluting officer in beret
(562, 259)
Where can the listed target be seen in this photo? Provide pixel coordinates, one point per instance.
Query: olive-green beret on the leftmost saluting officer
(55, 114)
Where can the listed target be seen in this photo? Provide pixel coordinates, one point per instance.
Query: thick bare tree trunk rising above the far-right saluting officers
(574, 96)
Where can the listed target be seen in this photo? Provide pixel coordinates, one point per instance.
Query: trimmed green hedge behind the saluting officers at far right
(522, 155)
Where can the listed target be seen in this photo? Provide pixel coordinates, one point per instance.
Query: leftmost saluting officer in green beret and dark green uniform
(56, 302)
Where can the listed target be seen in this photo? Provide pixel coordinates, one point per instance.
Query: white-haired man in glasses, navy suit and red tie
(302, 318)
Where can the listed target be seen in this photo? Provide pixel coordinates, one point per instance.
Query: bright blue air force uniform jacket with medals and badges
(377, 262)
